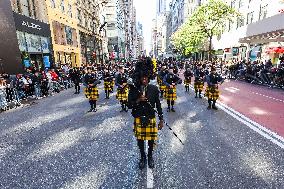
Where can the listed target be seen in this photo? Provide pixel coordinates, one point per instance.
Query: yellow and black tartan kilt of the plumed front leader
(149, 132)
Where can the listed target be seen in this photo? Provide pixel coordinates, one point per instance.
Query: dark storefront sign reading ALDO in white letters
(29, 25)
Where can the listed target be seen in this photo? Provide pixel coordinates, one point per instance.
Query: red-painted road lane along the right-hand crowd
(260, 104)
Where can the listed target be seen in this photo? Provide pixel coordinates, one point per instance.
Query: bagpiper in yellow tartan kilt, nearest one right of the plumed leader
(171, 80)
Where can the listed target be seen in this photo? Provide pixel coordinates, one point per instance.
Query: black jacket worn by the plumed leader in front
(143, 108)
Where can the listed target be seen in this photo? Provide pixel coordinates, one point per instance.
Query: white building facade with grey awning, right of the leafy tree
(256, 34)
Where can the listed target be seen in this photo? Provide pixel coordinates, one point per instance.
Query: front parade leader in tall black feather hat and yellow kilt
(143, 98)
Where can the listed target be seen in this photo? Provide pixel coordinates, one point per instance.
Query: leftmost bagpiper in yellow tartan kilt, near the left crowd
(91, 91)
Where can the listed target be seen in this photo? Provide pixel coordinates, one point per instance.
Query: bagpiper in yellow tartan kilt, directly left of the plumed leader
(122, 90)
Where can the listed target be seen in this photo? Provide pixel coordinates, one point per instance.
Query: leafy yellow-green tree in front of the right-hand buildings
(207, 21)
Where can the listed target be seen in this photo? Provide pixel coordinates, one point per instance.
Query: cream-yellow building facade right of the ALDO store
(64, 32)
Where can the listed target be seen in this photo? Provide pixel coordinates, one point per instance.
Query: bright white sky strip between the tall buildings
(146, 12)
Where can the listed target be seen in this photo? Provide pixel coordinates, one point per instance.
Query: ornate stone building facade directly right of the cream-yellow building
(92, 31)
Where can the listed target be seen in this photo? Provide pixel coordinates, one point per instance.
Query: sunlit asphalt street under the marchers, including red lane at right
(54, 143)
